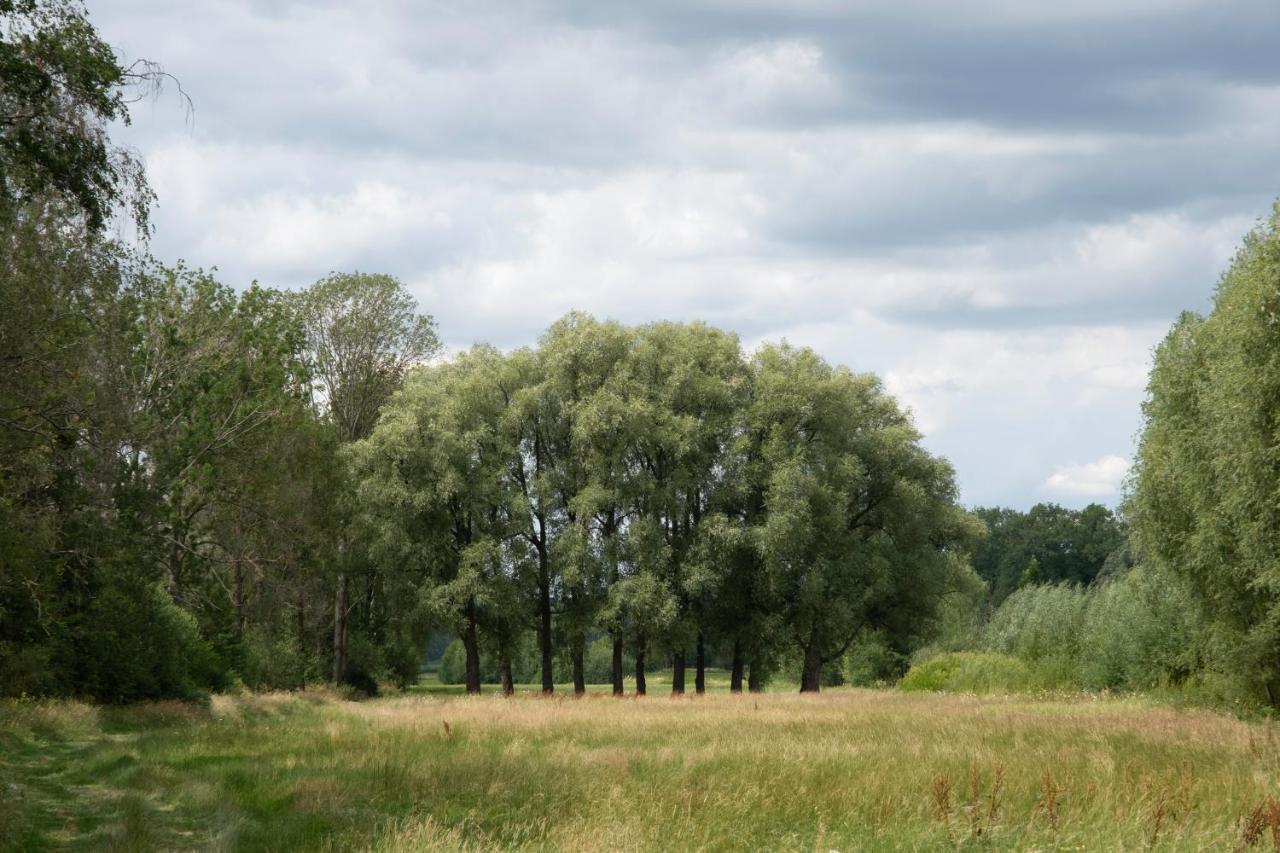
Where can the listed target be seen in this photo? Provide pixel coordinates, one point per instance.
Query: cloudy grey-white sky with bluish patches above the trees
(999, 207)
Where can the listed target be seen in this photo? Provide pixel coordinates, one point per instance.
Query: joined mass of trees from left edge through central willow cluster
(205, 486)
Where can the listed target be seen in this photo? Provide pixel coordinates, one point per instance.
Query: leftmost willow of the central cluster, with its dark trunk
(436, 496)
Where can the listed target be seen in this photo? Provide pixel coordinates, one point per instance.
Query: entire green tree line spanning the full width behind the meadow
(203, 487)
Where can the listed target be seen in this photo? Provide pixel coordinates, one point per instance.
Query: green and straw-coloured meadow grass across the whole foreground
(847, 770)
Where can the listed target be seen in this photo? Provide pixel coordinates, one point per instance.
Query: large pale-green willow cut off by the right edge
(1206, 475)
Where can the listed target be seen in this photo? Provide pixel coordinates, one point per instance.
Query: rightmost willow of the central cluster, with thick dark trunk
(857, 514)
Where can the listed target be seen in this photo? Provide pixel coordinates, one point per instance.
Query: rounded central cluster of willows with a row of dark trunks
(657, 486)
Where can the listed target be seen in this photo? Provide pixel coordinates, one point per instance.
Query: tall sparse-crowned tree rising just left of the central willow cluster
(364, 334)
